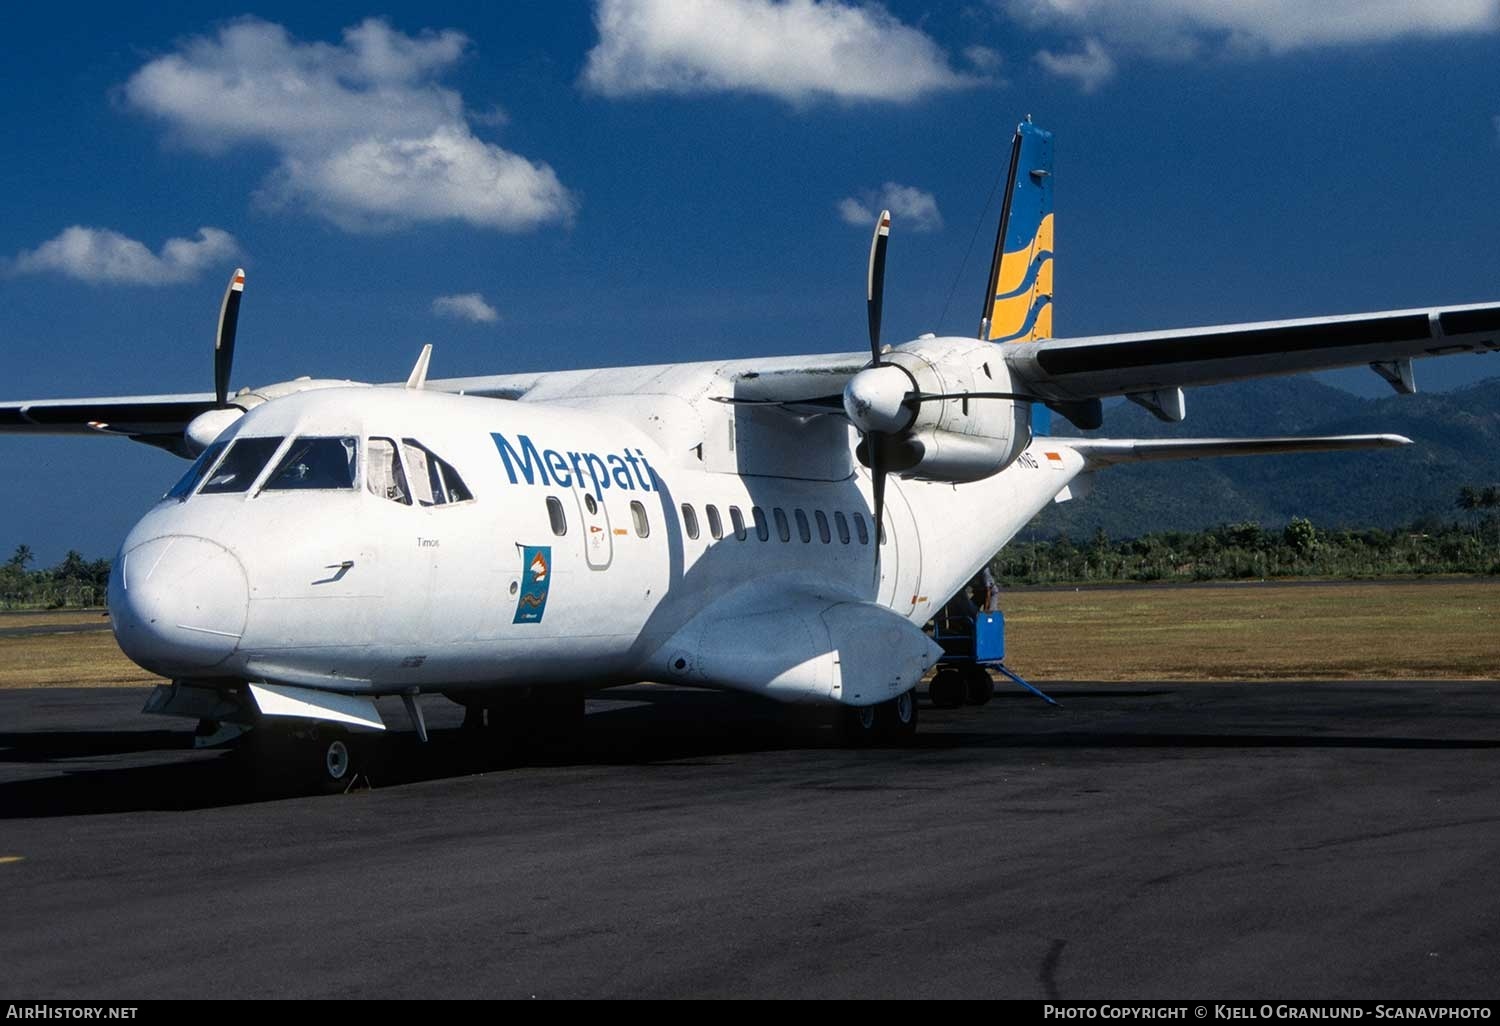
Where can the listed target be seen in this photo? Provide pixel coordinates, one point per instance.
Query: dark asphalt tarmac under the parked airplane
(1145, 841)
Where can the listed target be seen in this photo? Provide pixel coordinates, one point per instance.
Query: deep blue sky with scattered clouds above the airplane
(538, 185)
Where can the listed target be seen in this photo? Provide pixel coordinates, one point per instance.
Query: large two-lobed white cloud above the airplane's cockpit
(364, 134)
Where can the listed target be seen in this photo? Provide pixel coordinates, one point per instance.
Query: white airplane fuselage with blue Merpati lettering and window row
(364, 587)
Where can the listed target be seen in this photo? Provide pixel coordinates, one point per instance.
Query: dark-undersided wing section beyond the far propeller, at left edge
(158, 421)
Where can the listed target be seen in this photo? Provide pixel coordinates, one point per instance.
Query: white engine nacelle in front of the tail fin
(947, 440)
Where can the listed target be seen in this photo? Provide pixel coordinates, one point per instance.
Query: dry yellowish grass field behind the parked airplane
(1445, 631)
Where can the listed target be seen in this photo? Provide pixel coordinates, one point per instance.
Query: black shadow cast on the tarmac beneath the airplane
(160, 770)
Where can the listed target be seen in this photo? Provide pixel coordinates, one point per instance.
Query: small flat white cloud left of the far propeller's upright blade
(103, 256)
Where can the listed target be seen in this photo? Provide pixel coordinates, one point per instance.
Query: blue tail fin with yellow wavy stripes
(1018, 304)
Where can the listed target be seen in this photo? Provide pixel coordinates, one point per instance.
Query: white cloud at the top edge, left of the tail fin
(793, 50)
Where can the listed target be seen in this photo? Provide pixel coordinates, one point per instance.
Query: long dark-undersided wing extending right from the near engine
(1114, 365)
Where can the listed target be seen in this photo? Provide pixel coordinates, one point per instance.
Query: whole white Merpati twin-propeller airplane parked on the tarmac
(781, 527)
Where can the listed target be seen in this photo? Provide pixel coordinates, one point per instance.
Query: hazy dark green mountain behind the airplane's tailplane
(1457, 439)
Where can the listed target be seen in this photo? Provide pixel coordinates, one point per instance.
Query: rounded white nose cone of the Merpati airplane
(179, 604)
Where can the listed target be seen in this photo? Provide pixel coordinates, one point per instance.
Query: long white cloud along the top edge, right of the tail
(1187, 28)
